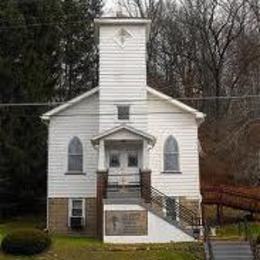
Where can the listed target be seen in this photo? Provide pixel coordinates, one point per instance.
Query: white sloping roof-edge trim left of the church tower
(68, 104)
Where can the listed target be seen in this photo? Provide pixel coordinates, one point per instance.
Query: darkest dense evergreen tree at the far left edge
(29, 70)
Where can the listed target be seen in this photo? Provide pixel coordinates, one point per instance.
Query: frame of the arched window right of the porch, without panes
(176, 153)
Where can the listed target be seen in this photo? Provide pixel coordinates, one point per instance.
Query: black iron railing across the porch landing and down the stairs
(169, 208)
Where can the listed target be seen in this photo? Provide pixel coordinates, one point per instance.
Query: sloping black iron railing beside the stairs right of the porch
(170, 207)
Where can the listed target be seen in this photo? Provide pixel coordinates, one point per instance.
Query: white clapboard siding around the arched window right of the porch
(183, 127)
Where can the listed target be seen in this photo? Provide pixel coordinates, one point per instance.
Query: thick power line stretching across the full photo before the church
(117, 101)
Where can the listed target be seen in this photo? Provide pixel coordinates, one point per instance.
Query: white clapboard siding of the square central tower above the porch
(122, 75)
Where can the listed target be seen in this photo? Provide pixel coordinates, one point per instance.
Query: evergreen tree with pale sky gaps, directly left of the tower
(79, 49)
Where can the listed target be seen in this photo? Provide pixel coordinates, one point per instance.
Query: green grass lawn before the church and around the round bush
(79, 248)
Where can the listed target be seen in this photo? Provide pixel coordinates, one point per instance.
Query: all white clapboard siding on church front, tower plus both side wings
(122, 81)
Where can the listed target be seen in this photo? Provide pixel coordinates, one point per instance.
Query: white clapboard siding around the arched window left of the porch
(63, 127)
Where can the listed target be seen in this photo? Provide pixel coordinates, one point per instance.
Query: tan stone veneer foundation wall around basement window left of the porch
(58, 217)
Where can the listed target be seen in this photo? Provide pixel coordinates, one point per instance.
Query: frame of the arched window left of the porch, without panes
(70, 154)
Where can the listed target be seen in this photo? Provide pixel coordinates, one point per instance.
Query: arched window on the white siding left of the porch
(75, 155)
